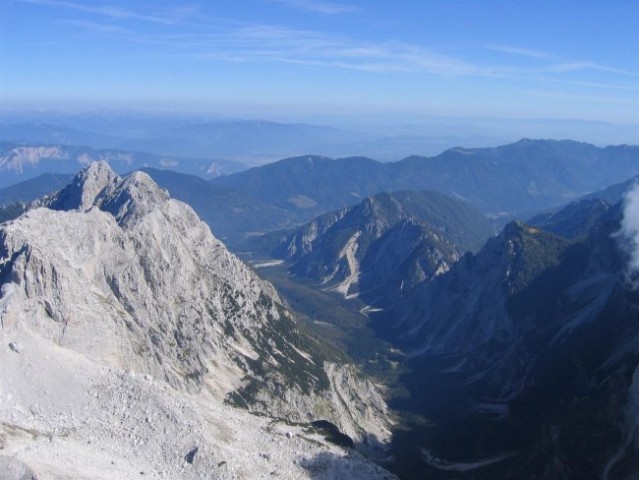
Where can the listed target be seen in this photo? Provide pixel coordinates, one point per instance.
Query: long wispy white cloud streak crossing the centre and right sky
(303, 47)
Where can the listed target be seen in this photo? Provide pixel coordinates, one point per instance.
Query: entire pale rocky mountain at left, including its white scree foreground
(130, 335)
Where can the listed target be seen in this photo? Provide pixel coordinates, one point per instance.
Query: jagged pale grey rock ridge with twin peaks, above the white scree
(114, 269)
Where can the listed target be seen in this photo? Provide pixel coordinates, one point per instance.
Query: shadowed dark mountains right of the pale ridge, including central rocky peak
(510, 356)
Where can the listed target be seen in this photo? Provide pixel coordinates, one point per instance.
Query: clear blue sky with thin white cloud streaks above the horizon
(500, 59)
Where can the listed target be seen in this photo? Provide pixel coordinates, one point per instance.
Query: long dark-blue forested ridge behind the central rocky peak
(529, 175)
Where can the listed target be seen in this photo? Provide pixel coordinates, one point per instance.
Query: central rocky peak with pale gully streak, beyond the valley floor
(381, 248)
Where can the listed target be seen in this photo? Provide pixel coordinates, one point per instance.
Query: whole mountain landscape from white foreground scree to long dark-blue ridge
(504, 356)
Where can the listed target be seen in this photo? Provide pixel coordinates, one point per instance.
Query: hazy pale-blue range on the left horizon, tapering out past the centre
(247, 141)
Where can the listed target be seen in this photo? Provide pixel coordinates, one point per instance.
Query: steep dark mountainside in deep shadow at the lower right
(533, 344)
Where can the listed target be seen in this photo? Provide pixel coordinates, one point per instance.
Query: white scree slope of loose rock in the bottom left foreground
(95, 421)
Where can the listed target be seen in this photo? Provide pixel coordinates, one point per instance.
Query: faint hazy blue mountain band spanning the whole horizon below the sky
(256, 142)
